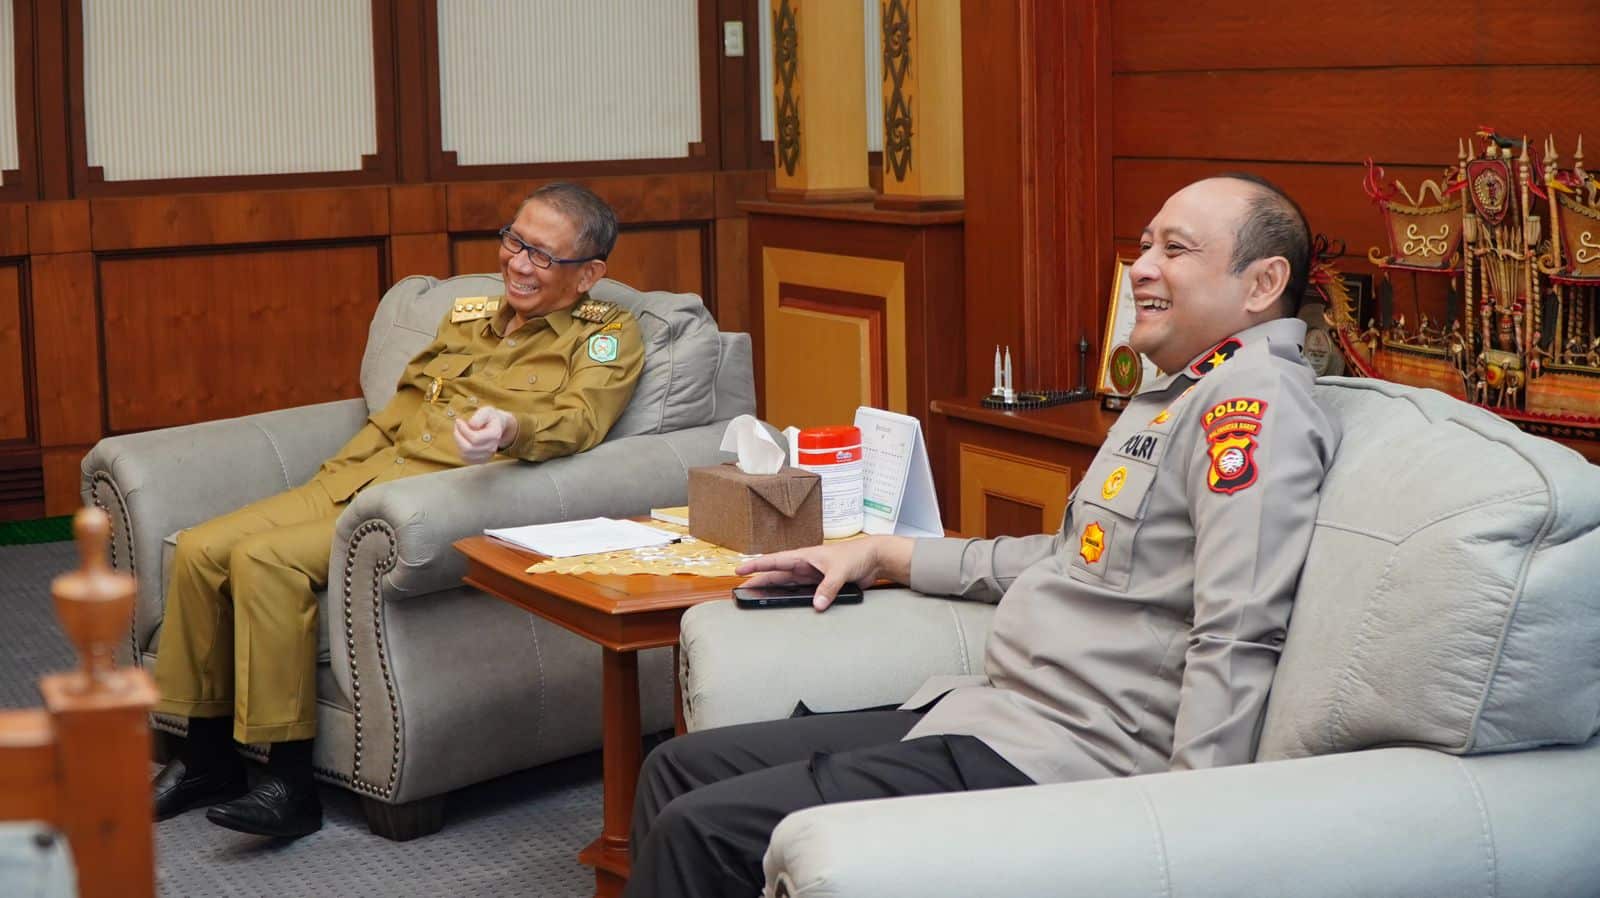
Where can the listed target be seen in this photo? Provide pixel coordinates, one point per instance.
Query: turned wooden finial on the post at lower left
(94, 603)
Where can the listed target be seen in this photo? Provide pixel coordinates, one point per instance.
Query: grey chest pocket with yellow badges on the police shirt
(1106, 518)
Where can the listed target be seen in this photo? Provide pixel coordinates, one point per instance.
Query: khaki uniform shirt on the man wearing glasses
(564, 379)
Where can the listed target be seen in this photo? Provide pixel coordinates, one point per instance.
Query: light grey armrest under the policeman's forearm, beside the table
(742, 667)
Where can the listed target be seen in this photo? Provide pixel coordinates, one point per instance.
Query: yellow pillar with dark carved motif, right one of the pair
(922, 105)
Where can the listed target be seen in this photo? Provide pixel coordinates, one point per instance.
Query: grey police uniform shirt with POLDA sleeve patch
(1143, 636)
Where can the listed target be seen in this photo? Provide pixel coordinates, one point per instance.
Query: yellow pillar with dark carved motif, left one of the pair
(818, 74)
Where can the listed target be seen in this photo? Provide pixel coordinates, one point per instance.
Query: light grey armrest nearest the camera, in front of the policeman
(1390, 822)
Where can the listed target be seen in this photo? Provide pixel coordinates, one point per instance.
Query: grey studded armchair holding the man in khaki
(425, 684)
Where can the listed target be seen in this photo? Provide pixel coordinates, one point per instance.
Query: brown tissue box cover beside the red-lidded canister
(756, 513)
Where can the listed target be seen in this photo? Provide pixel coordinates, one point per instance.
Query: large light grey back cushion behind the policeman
(1449, 598)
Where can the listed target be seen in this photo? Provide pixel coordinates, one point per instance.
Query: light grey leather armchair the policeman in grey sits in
(1431, 729)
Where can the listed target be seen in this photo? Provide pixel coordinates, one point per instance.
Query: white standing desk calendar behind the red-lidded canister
(898, 478)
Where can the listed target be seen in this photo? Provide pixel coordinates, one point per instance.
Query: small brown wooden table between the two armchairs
(623, 614)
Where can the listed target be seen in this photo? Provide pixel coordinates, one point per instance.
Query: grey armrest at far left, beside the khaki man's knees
(159, 483)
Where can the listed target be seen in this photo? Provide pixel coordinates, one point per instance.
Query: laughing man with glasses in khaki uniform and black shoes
(540, 372)
